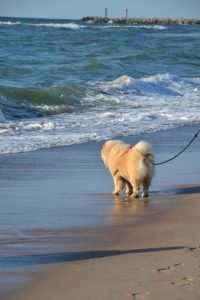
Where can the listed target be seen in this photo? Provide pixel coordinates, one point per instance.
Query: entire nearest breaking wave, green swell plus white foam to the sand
(96, 111)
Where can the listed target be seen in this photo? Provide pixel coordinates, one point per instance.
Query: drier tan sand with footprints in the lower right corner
(156, 260)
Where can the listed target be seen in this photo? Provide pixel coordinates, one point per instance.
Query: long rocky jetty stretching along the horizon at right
(141, 20)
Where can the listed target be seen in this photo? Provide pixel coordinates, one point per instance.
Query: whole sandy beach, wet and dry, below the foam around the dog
(70, 239)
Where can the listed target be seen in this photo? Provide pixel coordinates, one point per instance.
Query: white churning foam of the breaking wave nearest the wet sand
(124, 106)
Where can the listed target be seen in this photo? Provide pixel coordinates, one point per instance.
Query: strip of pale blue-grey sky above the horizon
(76, 9)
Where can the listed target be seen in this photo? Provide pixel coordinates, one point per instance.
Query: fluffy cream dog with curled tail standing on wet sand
(130, 166)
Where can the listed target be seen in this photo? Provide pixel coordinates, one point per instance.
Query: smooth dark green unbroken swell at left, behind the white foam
(28, 103)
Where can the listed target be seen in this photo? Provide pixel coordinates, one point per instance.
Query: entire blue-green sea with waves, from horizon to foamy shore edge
(63, 82)
